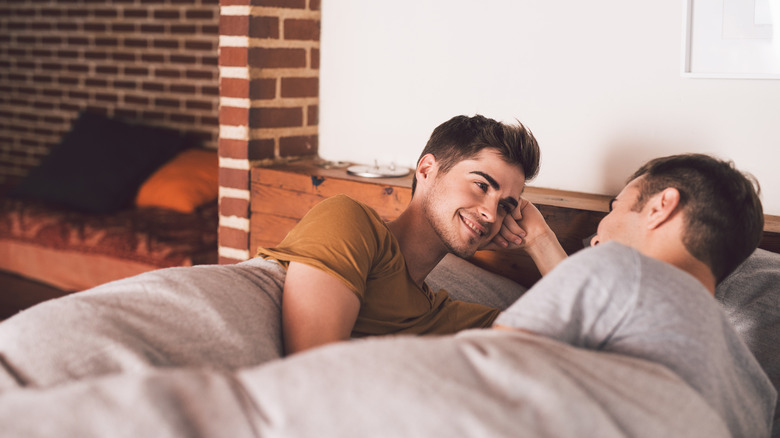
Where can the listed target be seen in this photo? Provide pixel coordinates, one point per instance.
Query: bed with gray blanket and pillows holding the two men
(183, 362)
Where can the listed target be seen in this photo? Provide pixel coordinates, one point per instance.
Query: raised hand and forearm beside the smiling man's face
(526, 228)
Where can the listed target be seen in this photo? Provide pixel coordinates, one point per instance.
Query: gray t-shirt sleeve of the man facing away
(582, 301)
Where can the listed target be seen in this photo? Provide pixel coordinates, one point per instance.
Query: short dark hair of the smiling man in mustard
(463, 137)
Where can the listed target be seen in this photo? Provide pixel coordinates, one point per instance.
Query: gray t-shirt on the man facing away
(614, 299)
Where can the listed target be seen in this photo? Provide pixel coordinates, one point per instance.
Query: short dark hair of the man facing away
(724, 219)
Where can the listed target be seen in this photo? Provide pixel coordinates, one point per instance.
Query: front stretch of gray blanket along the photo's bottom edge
(478, 383)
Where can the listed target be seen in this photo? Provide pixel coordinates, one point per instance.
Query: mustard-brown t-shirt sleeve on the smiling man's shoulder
(339, 236)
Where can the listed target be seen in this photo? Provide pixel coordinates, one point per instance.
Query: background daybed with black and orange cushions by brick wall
(111, 200)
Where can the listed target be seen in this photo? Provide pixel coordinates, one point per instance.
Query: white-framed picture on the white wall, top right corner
(731, 39)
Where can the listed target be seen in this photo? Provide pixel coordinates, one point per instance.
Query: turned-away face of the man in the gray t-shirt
(622, 224)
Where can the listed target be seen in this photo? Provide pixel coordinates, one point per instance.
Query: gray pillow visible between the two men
(467, 282)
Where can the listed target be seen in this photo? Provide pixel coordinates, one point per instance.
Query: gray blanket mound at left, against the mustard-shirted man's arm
(211, 316)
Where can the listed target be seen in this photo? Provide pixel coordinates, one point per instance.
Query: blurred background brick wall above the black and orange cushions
(153, 61)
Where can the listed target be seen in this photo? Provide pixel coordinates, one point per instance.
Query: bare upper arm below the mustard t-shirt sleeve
(317, 308)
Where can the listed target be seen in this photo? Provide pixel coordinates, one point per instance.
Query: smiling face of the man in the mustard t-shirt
(466, 205)
